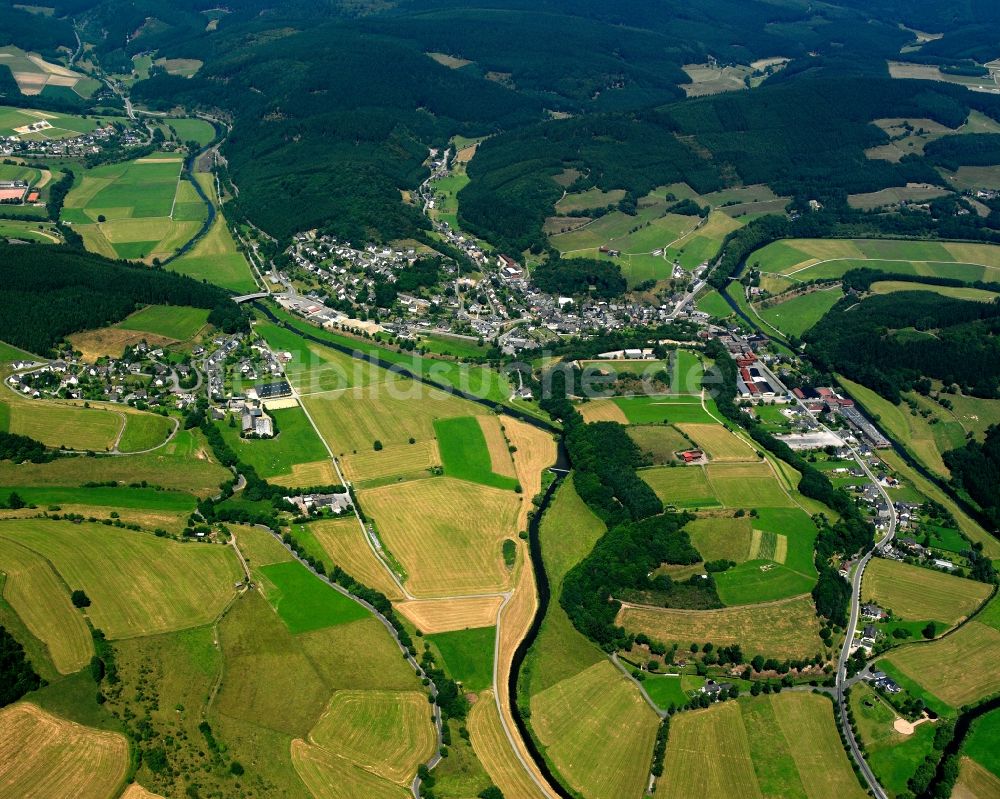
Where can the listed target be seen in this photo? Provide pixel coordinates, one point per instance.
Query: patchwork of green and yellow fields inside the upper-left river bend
(137, 210)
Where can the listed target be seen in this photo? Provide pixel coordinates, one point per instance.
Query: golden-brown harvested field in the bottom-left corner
(42, 755)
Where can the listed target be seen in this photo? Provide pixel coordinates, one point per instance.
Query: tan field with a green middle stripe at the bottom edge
(780, 745)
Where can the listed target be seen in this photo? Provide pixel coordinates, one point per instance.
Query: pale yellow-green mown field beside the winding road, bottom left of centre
(388, 733)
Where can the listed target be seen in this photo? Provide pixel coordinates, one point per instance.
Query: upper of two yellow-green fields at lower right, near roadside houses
(917, 594)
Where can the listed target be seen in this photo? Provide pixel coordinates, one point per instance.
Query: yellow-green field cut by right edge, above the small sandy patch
(958, 669)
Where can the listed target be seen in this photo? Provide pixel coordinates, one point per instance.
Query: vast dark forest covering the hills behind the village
(326, 135)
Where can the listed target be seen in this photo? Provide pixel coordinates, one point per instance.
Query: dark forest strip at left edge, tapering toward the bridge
(52, 291)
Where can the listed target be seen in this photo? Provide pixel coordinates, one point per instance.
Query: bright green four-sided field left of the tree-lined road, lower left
(303, 601)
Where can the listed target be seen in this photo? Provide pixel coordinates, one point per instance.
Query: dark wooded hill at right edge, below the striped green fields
(889, 342)
